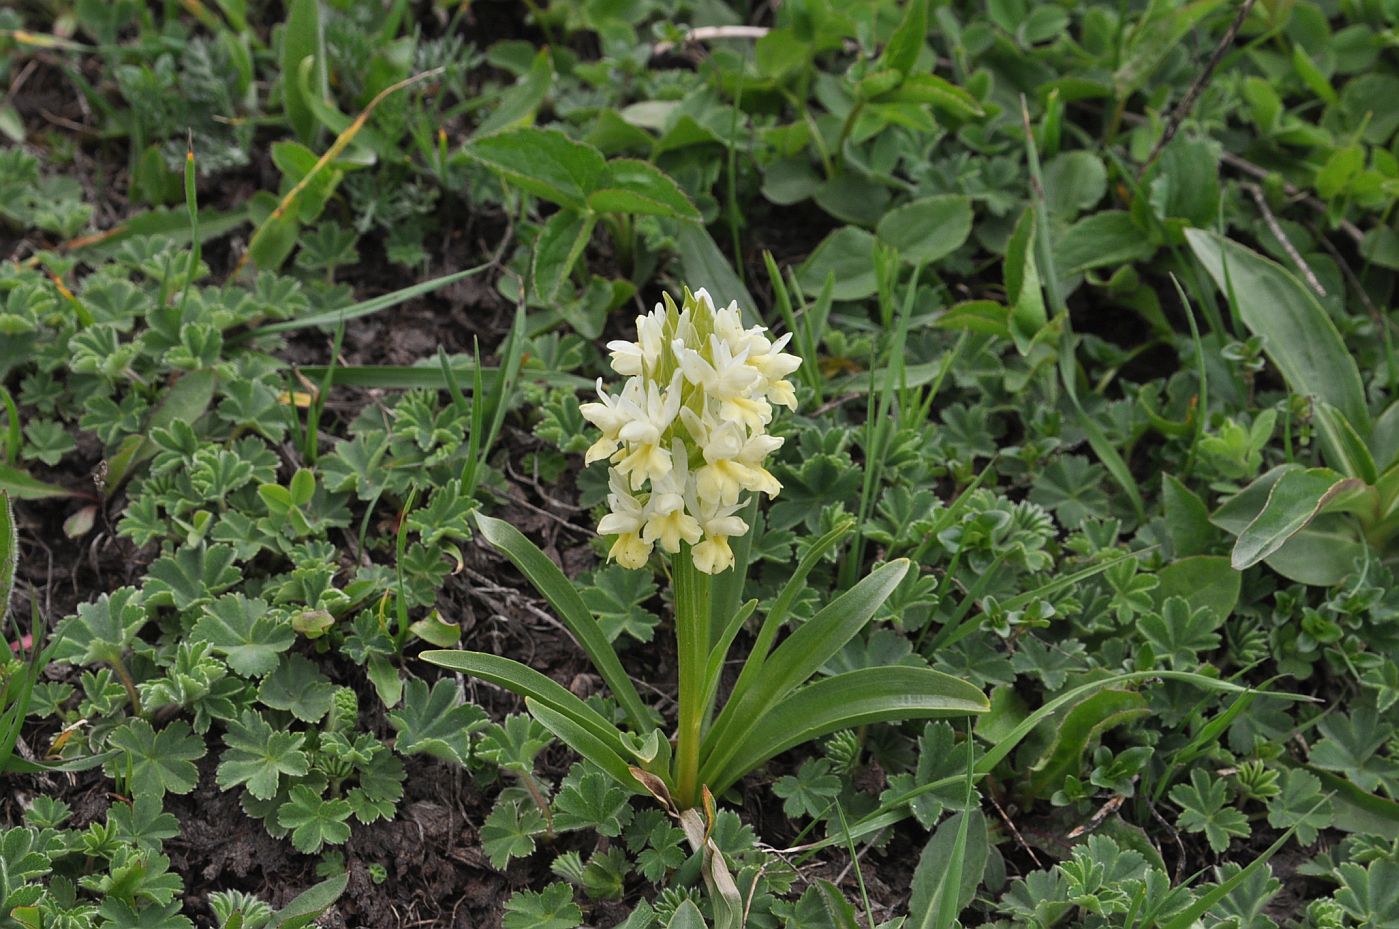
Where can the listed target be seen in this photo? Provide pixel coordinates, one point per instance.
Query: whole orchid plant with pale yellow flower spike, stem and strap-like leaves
(686, 440)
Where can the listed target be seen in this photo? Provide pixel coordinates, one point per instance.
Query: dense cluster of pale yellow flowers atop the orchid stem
(688, 433)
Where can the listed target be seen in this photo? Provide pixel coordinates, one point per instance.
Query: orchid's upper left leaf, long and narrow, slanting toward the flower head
(573, 612)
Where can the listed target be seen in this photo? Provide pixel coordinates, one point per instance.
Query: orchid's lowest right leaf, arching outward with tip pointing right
(844, 702)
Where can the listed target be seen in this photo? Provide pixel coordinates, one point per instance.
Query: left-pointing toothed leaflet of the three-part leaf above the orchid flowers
(545, 163)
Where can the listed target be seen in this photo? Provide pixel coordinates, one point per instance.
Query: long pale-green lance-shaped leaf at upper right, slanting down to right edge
(1298, 334)
